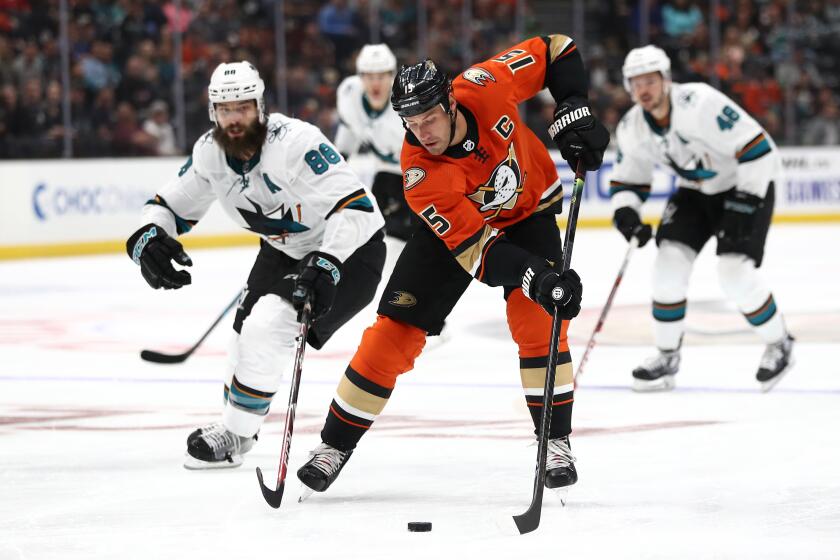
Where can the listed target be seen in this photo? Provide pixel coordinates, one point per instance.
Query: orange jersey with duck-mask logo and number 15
(500, 173)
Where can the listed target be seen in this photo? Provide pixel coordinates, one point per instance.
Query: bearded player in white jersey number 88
(321, 239)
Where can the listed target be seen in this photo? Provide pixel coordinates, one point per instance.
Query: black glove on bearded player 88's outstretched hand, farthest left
(153, 249)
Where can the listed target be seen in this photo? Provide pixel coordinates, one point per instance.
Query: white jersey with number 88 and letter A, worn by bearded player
(297, 193)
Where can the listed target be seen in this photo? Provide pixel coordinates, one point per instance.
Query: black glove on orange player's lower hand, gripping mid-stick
(544, 285)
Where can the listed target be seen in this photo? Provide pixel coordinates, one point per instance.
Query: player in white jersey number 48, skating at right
(727, 168)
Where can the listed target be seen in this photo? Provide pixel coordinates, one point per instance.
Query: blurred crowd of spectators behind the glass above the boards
(778, 58)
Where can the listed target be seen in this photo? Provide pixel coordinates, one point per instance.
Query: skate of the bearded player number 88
(215, 447)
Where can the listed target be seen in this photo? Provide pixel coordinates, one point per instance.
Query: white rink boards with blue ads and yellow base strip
(57, 207)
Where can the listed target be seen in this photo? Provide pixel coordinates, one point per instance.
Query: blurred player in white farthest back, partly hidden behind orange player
(366, 119)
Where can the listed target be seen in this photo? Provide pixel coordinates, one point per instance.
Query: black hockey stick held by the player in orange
(530, 520)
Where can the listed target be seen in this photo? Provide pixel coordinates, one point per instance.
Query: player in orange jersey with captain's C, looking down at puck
(487, 192)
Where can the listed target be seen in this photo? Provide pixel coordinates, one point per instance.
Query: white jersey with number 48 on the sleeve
(711, 144)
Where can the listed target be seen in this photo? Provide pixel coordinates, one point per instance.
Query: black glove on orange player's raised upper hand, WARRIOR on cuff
(578, 134)
